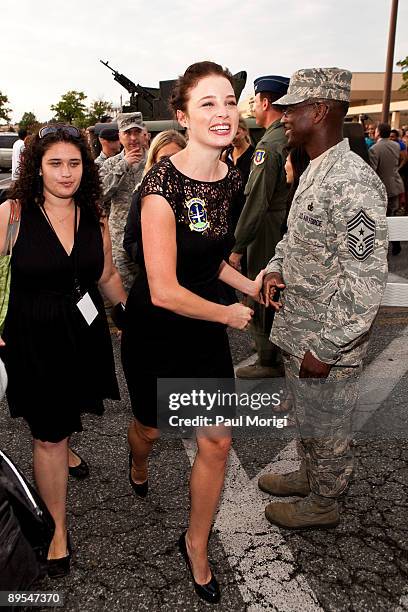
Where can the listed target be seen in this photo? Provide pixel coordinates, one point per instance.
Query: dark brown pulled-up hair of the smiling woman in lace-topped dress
(194, 74)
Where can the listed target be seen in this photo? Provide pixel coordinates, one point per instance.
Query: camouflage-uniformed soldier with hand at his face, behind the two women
(120, 175)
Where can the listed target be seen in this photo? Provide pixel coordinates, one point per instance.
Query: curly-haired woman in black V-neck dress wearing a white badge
(58, 352)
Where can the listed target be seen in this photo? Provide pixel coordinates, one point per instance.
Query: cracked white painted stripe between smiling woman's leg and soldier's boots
(263, 565)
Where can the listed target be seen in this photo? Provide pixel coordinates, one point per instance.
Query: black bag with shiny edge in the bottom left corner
(26, 529)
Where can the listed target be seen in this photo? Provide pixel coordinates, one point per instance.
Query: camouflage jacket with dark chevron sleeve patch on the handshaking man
(333, 260)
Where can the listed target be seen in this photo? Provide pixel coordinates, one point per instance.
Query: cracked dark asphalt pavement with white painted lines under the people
(125, 552)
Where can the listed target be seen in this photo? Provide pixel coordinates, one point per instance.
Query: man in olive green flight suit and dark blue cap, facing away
(259, 226)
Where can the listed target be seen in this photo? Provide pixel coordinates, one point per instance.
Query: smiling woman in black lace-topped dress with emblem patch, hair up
(176, 326)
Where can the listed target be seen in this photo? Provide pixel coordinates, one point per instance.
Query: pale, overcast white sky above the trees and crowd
(50, 47)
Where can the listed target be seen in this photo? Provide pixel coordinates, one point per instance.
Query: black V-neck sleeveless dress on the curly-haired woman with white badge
(58, 365)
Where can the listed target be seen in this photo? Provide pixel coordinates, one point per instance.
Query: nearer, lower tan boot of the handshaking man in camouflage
(313, 511)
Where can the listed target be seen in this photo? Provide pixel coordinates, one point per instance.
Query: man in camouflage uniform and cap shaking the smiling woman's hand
(333, 265)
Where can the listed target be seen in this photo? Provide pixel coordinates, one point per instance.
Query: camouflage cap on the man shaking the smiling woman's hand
(325, 83)
